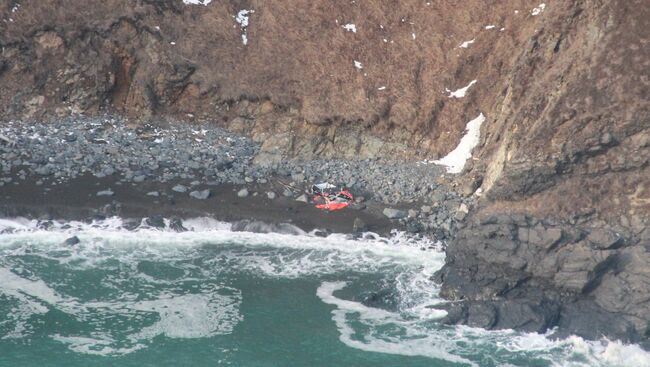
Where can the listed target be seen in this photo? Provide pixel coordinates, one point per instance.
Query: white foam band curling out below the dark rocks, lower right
(408, 333)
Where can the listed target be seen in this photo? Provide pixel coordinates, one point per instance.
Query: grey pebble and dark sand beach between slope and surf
(88, 168)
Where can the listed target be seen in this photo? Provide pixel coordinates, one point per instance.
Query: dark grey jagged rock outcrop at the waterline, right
(514, 271)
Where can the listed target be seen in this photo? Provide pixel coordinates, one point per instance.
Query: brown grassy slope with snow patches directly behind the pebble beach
(380, 80)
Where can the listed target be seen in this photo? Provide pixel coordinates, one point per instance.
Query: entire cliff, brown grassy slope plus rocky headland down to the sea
(561, 235)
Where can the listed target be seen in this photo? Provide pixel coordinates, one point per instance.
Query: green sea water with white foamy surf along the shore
(214, 297)
